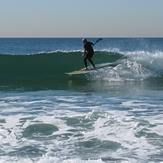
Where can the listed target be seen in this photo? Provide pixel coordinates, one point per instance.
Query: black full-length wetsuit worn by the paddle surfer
(89, 53)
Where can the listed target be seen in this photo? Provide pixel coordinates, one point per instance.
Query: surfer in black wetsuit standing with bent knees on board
(88, 53)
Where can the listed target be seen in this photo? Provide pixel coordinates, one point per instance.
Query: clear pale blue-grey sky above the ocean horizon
(81, 18)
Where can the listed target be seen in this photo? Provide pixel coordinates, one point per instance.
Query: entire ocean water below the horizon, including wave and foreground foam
(112, 115)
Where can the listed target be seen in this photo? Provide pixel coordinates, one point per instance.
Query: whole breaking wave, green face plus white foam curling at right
(50, 68)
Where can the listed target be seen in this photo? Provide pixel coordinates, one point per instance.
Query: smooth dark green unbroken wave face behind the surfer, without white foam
(44, 65)
